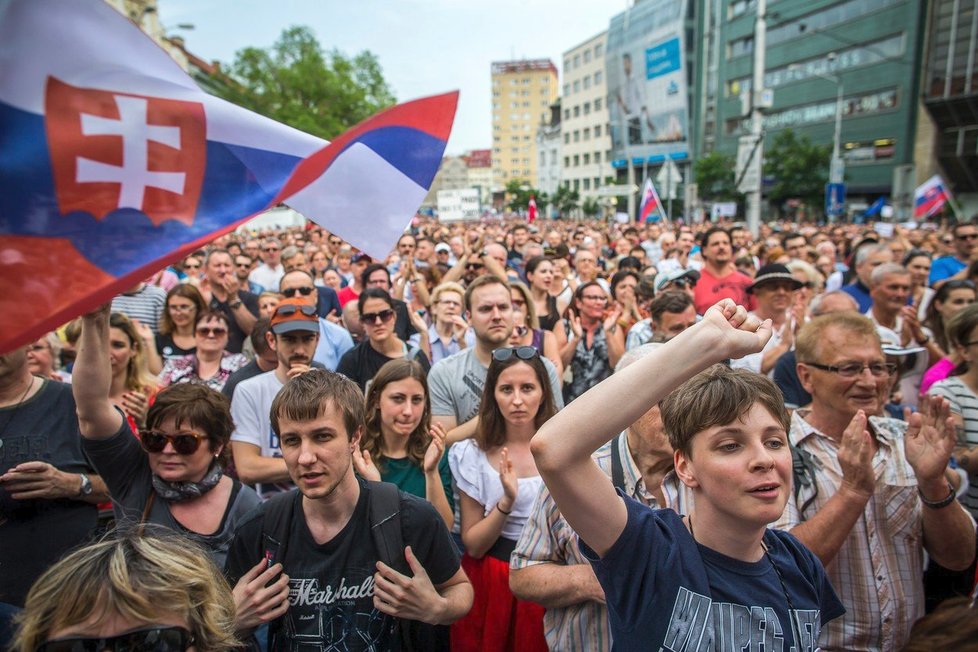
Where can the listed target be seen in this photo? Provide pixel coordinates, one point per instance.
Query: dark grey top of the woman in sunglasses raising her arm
(124, 466)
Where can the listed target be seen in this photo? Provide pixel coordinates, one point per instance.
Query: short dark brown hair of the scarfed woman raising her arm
(197, 406)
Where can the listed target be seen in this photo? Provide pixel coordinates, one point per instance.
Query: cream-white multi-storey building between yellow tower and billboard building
(586, 141)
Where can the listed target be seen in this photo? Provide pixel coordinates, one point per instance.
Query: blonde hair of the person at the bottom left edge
(132, 590)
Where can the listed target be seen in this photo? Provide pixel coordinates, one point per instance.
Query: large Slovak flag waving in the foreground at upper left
(113, 163)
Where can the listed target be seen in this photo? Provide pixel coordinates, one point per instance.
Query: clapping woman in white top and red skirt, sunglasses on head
(498, 482)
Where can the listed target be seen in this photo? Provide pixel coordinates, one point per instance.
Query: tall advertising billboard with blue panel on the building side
(645, 65)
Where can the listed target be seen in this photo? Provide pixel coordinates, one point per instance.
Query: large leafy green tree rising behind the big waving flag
(298, 84)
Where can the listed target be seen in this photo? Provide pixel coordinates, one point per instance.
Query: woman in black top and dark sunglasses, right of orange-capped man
(381, 345)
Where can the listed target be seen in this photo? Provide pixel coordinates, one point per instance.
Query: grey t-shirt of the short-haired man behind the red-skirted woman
(456, 383)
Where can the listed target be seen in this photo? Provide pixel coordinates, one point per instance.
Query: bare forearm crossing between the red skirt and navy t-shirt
(554, 585)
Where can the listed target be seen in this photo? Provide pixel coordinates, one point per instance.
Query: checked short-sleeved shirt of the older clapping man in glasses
(878, 572)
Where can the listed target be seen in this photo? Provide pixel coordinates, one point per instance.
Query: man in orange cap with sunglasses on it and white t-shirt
(254, 445)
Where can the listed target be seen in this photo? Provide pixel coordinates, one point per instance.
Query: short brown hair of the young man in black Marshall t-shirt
(306, 396)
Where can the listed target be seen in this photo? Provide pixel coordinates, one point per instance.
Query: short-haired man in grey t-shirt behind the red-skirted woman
(455, 383)
